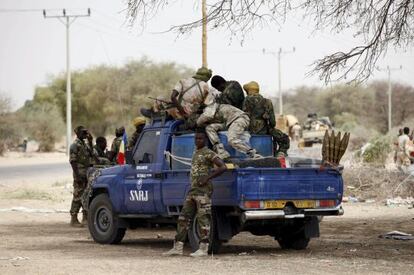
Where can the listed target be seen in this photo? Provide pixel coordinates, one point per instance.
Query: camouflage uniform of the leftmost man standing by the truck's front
(80, 154)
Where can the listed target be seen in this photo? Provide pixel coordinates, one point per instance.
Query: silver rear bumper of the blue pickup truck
(280, 214)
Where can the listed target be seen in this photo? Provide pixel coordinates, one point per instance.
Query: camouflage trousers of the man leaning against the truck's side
(198, 206)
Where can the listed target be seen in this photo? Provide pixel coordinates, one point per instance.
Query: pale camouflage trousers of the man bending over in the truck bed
(234, 133)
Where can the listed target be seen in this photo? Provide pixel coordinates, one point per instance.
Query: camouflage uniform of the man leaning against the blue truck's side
(198, 199)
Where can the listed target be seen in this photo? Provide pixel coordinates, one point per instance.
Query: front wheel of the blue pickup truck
(103, 224)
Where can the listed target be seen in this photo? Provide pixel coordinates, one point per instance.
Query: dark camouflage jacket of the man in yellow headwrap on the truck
(261, 113)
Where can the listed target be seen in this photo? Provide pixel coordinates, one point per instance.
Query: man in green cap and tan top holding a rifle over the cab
(186, 98)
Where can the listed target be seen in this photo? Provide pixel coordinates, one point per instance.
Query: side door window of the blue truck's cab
(147, 147)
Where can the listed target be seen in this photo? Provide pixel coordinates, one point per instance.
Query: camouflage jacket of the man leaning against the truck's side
(201, 164)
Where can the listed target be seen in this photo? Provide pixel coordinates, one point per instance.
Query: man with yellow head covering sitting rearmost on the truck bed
(262, 118)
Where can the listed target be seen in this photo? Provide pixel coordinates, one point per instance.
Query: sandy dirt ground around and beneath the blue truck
(35, 239)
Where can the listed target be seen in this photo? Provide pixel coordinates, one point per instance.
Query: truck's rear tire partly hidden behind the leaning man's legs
(194, 235)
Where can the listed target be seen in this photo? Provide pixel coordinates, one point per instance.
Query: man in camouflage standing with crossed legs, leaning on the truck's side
(198, 199)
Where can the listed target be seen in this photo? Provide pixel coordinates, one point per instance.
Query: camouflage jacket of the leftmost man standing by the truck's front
(81, 154)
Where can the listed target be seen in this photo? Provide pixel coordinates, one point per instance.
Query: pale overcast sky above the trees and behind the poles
(33, 48)
